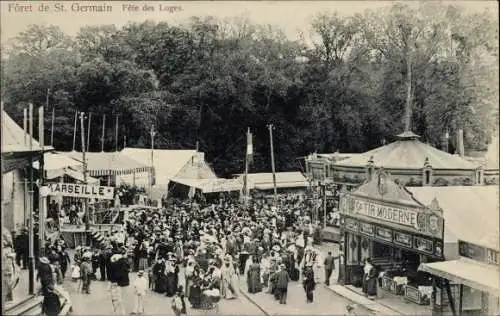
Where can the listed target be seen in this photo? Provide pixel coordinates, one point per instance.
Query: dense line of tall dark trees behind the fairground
(347, 87)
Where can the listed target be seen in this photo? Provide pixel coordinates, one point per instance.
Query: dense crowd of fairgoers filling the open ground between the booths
(196, 254)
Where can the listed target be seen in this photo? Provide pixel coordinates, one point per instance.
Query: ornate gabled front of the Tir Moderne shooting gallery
(383, 221)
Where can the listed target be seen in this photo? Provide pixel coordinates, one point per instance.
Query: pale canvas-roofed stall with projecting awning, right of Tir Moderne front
(467, 282)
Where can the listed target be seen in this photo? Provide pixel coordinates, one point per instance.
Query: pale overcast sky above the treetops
(291, 16)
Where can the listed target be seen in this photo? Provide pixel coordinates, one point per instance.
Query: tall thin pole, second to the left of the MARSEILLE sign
(31, 235)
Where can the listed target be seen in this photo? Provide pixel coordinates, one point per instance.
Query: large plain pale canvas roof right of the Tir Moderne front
(471, 213)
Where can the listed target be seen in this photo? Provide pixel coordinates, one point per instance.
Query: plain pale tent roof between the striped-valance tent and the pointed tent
(167, 163)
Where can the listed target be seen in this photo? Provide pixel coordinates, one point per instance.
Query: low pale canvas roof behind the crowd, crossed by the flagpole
(264, 181)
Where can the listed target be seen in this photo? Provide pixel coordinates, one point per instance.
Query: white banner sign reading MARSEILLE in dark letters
(82, 190)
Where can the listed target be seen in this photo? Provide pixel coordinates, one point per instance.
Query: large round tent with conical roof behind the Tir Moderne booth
(411, 163)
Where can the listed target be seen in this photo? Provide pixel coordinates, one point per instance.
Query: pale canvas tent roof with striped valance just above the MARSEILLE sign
(109, 163)
